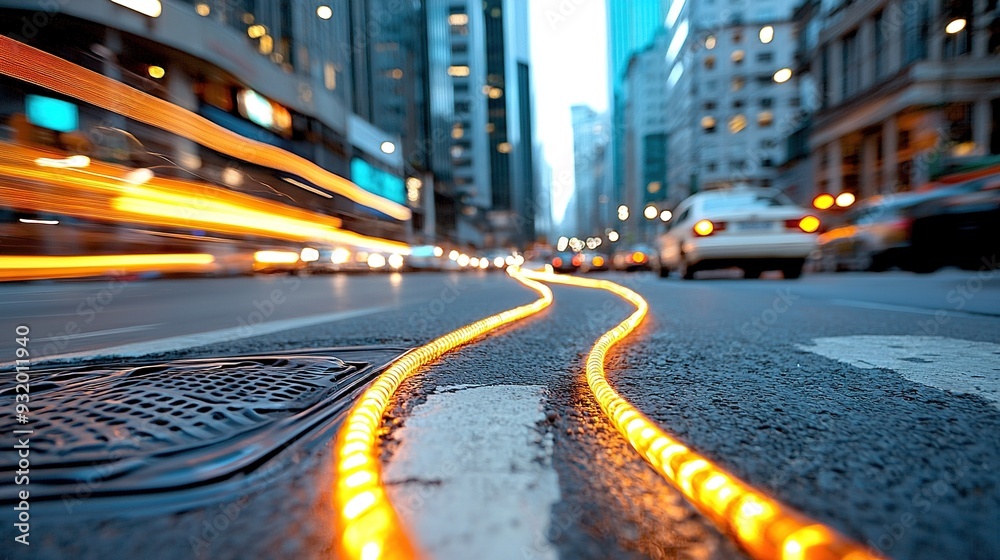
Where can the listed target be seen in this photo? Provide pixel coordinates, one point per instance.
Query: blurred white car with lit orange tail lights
(756, 229)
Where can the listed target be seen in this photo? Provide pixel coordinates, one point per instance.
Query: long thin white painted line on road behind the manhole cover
(183, 342)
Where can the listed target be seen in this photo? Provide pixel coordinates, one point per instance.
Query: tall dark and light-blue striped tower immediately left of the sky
(492, 144)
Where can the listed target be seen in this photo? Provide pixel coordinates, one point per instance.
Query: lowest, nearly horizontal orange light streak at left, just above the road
(35, 267)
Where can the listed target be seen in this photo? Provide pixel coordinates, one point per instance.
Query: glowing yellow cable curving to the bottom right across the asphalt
(764, 527)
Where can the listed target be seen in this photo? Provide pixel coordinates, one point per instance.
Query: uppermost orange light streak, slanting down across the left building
(43, 69)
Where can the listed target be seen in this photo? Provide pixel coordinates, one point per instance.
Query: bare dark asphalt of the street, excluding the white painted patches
(723, 364)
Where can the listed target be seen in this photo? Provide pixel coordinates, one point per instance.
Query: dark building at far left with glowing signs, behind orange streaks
(278, 73)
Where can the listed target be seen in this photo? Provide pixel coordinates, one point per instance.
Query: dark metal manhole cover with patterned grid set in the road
(154, 426)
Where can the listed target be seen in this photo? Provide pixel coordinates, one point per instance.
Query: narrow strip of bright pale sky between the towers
(569, 56)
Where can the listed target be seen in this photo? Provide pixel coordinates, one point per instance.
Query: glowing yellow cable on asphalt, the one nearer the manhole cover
(369, 526)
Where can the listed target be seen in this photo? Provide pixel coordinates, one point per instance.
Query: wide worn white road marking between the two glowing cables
(473, 477)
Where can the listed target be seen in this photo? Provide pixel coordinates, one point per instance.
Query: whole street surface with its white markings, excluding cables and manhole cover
(870, 402)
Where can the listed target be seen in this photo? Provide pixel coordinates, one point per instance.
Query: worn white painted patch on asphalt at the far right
(961, 366)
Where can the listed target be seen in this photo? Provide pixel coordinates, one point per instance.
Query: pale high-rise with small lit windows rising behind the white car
(728, 106)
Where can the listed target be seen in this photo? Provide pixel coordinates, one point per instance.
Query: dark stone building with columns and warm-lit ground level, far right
(901, 89)
